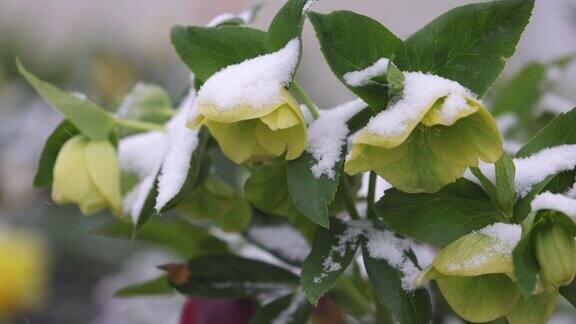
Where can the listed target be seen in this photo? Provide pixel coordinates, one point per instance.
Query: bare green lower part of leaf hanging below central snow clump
(312, 196)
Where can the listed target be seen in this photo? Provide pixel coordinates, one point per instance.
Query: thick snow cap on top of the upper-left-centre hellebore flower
(256, 82)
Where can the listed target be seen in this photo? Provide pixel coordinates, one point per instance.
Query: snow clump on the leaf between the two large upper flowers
(328, 133)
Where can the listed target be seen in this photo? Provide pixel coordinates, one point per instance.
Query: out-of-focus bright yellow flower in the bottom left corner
(22, 272)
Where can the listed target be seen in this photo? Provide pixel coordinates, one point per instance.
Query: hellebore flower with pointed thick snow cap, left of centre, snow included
(248, 110)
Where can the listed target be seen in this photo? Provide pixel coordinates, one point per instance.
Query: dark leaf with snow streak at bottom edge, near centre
(291, 309)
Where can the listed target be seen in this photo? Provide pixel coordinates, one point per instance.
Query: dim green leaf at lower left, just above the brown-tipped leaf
(173, 234)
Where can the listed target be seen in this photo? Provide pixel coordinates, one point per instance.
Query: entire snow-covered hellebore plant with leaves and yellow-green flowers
(272, 199)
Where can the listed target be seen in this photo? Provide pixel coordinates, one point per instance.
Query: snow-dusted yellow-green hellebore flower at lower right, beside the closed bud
(475, 273)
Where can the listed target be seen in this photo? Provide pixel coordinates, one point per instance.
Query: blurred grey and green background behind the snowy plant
(102, 48)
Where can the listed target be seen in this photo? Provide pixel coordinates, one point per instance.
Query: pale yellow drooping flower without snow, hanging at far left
(86, 173)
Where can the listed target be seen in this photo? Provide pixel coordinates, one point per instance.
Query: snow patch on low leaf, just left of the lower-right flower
(386, 246)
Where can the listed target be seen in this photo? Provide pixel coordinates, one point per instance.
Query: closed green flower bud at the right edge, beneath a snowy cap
(556, 254)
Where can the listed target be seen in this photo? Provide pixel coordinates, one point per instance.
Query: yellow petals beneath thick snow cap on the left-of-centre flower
(247, 133)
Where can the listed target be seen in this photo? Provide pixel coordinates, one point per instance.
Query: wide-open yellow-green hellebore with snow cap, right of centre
(428, 138)
